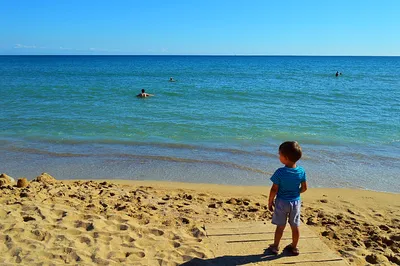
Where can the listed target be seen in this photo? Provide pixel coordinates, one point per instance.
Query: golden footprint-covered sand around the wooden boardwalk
(50, 222)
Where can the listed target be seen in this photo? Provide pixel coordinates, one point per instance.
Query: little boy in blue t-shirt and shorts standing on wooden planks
(288, 182)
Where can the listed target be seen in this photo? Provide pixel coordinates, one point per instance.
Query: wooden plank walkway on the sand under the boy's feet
(244, 243)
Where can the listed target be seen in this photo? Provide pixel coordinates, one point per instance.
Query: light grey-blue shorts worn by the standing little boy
(286, 209)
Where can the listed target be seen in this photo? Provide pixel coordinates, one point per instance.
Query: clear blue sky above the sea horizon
(201, 27)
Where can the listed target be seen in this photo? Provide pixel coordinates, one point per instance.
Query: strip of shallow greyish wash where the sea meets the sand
(239, 170)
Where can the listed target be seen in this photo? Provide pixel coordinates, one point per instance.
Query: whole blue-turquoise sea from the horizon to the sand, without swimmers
(220, 122)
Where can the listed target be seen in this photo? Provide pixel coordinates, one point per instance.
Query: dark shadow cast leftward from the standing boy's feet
(234, 260)
